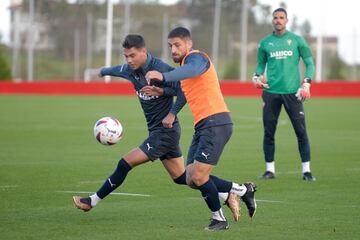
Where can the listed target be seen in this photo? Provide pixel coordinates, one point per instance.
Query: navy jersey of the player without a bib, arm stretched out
(155, 107)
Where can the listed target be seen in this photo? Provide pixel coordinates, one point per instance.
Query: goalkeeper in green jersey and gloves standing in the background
(280, 52)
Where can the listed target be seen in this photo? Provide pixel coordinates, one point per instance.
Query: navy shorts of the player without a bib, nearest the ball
(163, 143)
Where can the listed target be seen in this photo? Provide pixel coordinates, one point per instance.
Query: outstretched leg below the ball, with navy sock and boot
(129, 161)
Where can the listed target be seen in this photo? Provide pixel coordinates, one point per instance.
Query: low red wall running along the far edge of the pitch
(229, 88)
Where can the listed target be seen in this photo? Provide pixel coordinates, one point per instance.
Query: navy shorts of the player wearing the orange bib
(208, 143)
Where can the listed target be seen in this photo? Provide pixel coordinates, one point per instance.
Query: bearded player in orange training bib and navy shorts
(212, 123)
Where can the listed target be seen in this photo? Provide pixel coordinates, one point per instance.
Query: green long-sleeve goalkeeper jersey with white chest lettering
(282, 54)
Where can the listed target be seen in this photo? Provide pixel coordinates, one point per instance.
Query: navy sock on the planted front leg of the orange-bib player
(210, 195)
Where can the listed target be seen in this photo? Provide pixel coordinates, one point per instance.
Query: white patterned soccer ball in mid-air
(108, 130)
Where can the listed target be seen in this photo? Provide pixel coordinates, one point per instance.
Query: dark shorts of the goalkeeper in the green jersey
(272, 103)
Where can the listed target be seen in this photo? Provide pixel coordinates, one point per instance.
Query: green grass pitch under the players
(47, 151)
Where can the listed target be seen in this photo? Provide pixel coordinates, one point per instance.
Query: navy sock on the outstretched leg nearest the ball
(115, 180)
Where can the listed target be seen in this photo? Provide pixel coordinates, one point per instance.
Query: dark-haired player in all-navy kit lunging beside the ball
(156, 102)
